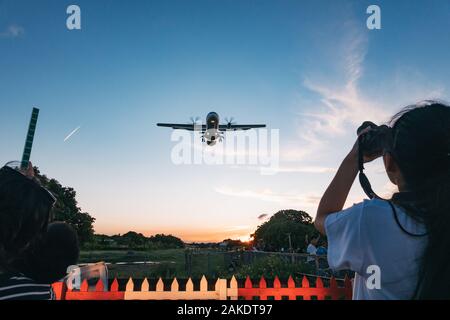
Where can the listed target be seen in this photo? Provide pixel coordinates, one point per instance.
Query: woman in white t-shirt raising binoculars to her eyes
(407, 238)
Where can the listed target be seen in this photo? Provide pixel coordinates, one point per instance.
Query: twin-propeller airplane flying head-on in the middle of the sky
(212, 131)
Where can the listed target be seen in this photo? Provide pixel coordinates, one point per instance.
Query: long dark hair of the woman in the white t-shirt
(422, 151)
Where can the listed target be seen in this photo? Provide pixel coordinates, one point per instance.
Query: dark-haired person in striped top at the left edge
(24, 216)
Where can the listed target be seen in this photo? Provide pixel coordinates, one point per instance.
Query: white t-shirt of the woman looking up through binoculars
(367, 234)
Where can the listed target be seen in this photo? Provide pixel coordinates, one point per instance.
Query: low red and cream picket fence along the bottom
(222, 290)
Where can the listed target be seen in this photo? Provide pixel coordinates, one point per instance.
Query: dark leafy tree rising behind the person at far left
(66, 208)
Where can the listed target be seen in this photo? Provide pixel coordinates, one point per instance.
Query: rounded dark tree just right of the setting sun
(273, 234)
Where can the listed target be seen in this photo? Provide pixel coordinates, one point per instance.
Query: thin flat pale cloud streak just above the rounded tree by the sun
(291, 198)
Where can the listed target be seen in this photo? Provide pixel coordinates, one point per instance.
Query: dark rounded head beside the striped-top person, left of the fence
(48, 260)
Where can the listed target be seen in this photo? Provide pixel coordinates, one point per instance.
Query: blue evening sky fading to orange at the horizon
(311, 69)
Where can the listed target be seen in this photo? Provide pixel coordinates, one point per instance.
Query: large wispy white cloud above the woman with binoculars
(341, 104)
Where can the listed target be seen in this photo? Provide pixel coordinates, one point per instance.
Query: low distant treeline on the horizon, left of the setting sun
(133, 241)
